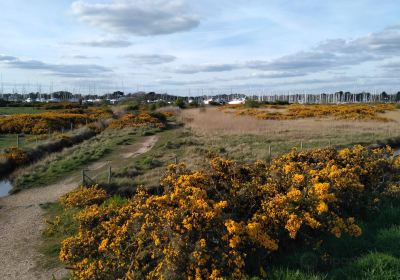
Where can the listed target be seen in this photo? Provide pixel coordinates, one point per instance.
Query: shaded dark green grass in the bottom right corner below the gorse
(373, 255)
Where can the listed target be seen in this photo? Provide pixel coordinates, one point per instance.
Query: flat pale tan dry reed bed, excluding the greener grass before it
(212, 121)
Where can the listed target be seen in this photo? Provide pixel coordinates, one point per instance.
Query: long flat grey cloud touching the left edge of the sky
(62, 70)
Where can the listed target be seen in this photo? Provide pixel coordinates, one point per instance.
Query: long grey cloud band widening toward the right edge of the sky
(328, 55)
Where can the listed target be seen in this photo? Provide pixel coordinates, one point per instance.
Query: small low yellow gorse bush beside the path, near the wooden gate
(84, 196)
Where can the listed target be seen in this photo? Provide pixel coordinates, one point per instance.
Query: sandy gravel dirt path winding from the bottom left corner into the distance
(21, 223)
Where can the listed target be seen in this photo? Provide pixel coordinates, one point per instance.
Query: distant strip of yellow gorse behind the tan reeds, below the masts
(340, 112)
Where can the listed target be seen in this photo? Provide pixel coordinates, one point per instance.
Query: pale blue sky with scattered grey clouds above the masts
(193, 47)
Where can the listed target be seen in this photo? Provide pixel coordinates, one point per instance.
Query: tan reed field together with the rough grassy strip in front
(245, 136)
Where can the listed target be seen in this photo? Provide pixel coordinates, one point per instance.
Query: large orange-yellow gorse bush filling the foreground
(220, 222)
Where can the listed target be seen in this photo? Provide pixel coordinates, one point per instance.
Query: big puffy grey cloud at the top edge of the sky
(137, 17)
